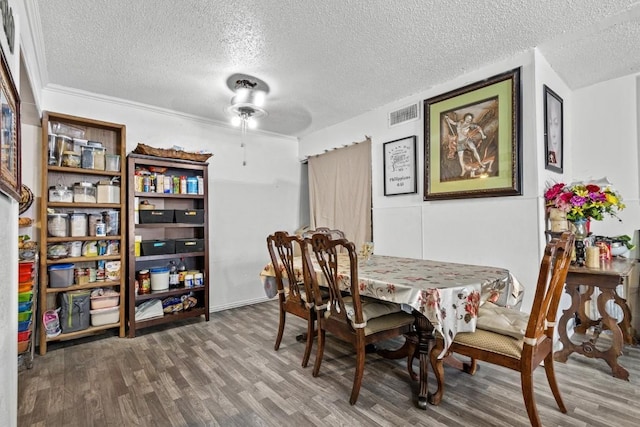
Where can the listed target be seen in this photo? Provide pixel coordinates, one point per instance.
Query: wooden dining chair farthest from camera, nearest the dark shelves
(296, 297)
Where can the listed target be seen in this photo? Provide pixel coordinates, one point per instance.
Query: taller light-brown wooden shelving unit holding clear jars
(113, 138)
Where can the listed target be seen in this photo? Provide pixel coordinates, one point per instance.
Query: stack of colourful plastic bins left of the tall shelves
(26, 310)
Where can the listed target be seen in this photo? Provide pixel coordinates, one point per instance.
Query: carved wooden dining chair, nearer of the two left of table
(351, 318)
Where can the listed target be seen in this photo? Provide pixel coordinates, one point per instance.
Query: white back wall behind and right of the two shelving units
(246, 203)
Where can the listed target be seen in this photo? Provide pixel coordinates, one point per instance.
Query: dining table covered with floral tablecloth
(443, 296)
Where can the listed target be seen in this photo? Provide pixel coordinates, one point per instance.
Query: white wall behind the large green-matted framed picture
(502, 231)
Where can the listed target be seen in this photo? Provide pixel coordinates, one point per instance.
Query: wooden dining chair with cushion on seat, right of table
(513, 339)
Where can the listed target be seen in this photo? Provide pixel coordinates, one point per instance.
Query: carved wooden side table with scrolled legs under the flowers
(606, 279)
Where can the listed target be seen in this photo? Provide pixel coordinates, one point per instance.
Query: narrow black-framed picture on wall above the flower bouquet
(553, 130)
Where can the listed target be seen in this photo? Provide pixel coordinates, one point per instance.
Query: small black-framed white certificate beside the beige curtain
(400, 166)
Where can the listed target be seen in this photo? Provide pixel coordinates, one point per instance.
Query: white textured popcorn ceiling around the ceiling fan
(324, 61)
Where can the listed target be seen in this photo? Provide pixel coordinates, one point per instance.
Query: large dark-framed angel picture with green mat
(472, 140)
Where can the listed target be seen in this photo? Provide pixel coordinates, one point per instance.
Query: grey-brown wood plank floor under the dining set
(225, 372)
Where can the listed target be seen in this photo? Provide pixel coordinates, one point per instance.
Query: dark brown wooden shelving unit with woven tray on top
(170, 230)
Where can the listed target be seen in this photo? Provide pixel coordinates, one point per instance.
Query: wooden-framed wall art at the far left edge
(10, 149)
